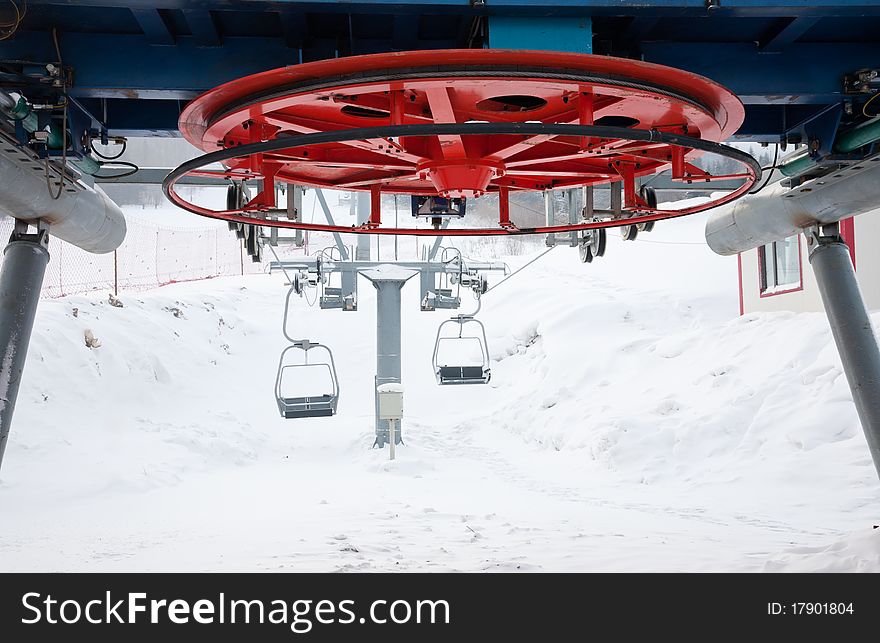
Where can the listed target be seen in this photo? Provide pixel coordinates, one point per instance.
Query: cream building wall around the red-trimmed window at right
(865, 241)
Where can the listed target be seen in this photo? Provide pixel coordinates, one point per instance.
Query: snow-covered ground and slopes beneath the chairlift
(633, 422)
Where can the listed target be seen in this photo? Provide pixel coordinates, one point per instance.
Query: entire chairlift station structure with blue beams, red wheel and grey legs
(479, 115)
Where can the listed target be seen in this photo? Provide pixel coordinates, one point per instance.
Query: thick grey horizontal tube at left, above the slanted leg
(83, 216)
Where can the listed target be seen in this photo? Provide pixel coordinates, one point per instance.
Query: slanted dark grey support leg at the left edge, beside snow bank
(21, 278)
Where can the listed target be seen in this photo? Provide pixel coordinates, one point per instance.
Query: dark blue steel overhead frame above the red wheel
(785, 58)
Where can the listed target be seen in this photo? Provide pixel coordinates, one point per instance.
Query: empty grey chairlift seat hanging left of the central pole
(322, 405)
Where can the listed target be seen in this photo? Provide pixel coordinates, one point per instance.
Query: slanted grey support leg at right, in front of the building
(852, 331)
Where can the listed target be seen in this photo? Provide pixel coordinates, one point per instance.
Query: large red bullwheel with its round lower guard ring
(462, 123)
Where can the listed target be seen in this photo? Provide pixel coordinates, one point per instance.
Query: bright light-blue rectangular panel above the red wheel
(547, 34)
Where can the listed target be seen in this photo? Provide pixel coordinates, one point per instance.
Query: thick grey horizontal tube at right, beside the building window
(778, 212)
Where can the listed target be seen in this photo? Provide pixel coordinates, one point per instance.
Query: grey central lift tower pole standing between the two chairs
(388, 281)
